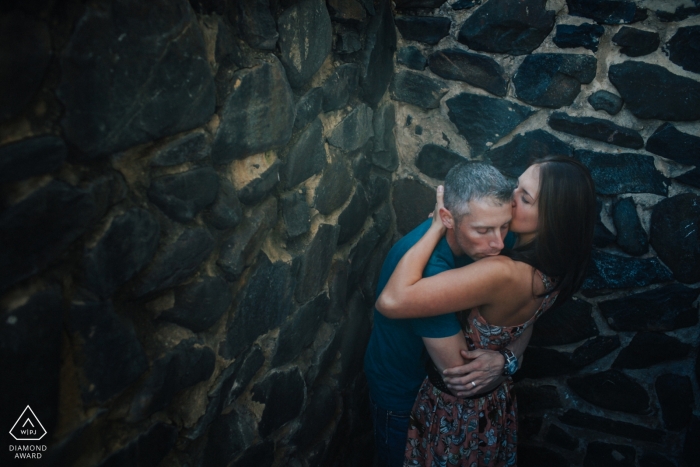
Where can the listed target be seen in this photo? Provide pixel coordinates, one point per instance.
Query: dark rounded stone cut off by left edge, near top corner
(24, 64)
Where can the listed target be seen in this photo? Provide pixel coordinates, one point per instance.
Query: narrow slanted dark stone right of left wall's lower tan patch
(316, 262)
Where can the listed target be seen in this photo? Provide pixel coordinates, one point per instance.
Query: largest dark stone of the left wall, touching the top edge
(127, 80)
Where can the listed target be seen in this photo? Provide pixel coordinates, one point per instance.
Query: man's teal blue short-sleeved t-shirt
(395, 356)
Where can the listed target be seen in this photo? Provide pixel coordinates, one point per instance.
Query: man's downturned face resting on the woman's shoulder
(481, 232)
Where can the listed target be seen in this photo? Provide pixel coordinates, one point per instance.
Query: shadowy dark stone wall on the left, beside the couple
(195, 205)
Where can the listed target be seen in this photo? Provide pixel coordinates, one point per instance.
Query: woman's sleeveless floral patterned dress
(445, 430)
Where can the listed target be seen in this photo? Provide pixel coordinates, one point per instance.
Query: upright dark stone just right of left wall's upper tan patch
(307, 155)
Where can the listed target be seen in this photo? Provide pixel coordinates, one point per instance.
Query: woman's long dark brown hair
(566, 218)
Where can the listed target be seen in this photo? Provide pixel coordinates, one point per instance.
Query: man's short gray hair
(470, 181)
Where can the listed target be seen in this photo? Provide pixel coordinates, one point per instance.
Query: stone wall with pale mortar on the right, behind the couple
(611, 378)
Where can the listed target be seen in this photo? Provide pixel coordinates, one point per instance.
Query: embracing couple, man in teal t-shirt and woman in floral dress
(458, 297)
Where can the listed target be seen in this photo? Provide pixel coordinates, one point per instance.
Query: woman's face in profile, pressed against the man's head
(525, 197)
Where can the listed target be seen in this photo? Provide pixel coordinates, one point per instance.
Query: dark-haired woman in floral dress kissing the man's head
(553, 215)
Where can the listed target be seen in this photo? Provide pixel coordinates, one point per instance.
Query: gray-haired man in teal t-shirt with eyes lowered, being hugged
(476, 214)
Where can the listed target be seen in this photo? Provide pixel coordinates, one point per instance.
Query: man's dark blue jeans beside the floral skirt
(390, 434)
